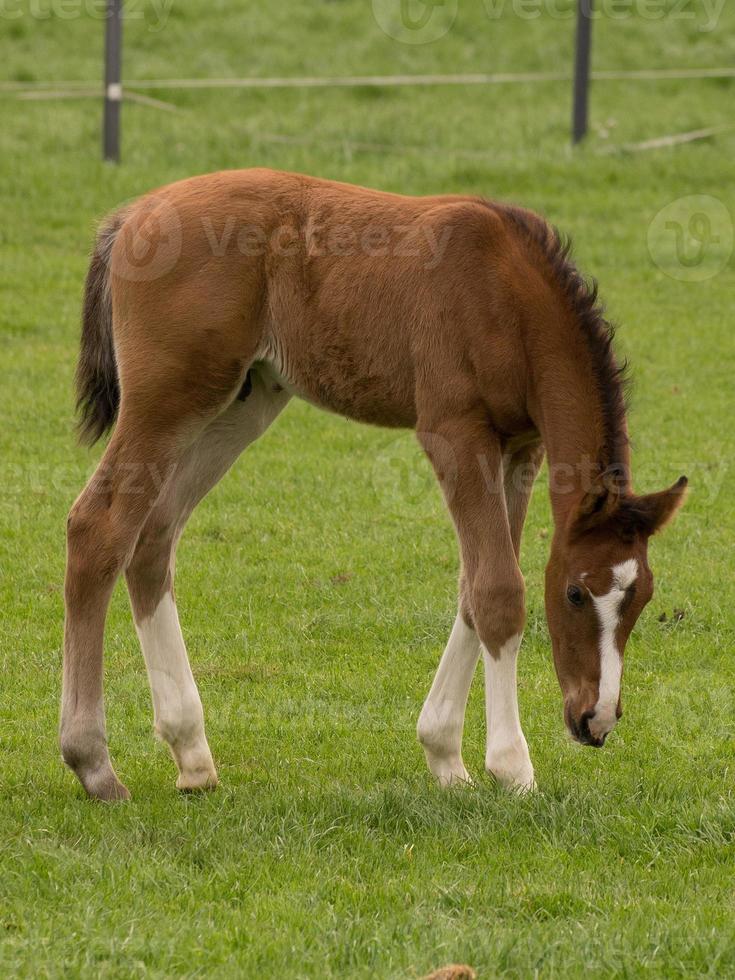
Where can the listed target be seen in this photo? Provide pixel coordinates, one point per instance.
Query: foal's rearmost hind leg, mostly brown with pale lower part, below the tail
(165, 407)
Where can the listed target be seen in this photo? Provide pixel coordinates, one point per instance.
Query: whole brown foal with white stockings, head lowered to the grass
(209, 303)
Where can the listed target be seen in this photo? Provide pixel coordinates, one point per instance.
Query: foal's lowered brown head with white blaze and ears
(597, 583)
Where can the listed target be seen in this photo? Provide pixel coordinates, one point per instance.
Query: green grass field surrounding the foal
(317, 583)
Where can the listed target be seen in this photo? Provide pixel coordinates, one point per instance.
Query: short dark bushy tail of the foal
(98, 387)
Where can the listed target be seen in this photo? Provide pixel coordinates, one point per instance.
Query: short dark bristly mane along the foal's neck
(611, 377)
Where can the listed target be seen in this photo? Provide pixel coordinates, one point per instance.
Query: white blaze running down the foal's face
(611, 662)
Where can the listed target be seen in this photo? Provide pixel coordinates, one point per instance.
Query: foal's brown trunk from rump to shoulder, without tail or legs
(357, 298)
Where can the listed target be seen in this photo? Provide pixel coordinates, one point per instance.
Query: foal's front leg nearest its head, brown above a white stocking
(493, 597)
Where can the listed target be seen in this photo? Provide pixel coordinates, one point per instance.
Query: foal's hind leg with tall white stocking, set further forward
(177, 708)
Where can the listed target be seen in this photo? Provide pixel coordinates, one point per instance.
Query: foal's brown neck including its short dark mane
(575, 388)
